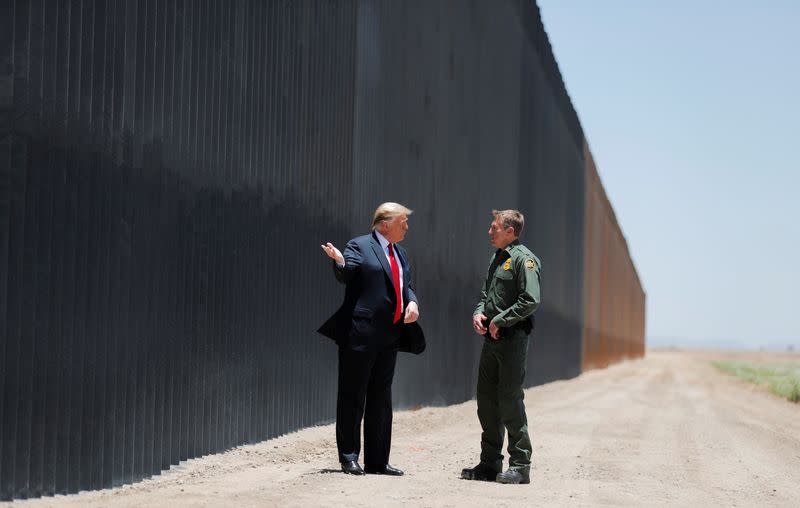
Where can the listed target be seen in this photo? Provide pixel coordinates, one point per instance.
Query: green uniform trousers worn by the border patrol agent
(500, 401)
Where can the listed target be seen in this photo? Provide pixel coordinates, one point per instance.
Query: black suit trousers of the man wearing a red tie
(365, 390)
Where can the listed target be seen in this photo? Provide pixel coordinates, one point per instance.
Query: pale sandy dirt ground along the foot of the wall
(666, 430)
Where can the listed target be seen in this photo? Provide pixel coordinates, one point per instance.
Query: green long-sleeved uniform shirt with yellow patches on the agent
(511, 291)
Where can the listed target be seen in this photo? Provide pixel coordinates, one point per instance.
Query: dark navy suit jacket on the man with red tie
(364, 321)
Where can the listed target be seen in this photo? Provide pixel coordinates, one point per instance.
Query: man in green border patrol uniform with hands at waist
(504, 315)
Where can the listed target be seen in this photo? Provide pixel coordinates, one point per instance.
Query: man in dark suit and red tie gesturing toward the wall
(377, 319)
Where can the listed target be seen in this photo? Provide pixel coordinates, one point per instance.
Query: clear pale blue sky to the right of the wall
(691, 110)
